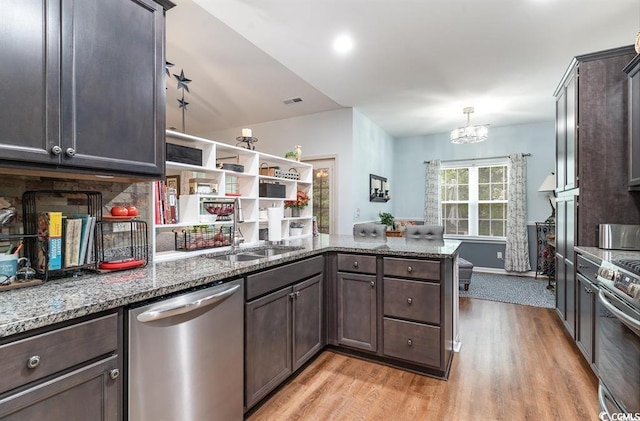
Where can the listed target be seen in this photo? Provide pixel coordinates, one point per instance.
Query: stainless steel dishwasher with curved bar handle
(186, 356)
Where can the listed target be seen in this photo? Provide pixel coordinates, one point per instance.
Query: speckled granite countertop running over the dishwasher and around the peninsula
(67, 298)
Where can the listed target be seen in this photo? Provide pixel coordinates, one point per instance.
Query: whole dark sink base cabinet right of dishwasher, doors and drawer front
(284, 328)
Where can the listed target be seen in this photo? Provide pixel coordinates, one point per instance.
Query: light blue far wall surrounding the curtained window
(410, 154)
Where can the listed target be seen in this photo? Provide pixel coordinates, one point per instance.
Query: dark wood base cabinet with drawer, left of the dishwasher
(65, 373)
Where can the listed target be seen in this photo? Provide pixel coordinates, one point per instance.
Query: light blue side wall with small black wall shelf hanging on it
(373, 152)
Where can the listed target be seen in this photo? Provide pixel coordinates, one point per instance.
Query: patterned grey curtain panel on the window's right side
(516, 256)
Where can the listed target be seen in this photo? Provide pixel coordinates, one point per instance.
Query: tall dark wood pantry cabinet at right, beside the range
(591, 162)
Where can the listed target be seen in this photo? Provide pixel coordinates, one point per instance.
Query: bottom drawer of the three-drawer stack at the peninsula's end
(411, 341)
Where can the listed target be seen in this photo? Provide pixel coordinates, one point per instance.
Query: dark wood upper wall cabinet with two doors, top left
(85, 86)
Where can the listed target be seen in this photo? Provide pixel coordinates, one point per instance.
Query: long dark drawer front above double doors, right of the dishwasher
(274, 279)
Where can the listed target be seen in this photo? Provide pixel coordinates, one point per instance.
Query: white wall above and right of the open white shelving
(321, 134)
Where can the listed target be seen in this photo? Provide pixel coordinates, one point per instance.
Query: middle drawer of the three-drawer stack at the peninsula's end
(413, 300)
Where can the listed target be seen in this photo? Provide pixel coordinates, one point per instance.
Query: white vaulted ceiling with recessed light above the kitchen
(414, 66)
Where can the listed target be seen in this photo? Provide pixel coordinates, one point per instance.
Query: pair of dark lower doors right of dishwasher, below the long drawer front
(283, 331)
